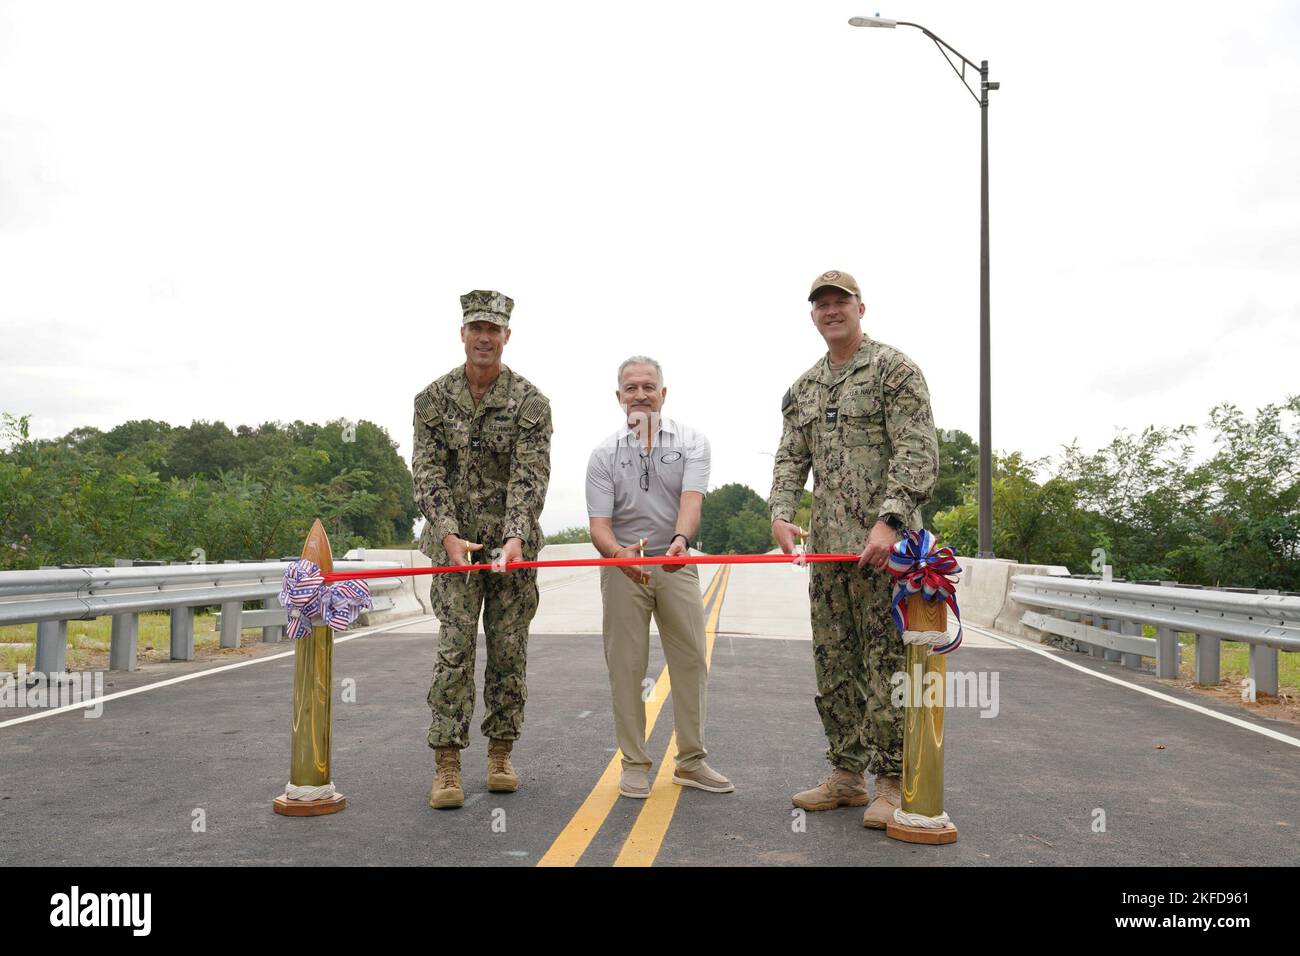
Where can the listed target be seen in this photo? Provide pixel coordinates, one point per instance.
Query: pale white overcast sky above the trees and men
(209, 209)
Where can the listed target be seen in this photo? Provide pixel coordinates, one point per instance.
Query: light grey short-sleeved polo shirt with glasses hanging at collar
(642, 491)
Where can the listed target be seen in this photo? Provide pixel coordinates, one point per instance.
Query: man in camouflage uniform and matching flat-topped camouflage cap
(482, 464)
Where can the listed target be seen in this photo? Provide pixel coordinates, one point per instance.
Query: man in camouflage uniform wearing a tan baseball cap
(861, 421)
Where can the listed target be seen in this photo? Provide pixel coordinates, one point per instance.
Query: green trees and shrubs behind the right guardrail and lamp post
(1155, 513)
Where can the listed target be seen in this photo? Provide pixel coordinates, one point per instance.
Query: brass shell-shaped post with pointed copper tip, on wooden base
(314, 660)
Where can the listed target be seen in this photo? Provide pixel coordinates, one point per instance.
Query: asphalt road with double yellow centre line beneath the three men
(1177, 786)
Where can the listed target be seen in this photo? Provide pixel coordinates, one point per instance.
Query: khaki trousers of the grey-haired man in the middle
(678, 608)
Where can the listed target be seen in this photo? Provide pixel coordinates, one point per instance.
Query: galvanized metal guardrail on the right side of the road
(1108, 617)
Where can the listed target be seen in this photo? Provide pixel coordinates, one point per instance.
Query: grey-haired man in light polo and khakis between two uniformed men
(645, 486)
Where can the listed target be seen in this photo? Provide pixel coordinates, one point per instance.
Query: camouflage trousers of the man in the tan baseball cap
(856, 651)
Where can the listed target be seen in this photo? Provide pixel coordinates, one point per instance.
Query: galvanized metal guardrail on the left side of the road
(51, 598)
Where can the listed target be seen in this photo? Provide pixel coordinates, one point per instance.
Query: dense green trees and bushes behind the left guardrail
(149, 491)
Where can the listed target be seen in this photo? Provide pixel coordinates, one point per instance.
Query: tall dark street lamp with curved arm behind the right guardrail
(986, 457)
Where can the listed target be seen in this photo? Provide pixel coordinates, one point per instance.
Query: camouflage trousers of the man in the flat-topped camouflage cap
(509, 603)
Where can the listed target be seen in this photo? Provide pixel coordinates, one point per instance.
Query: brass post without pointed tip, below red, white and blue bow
(924, 730)
